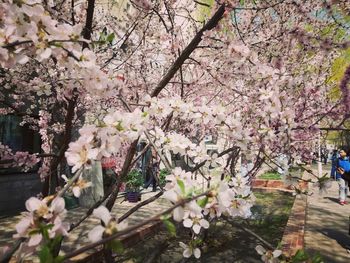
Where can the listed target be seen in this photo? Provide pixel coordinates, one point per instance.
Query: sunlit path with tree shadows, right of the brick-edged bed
(327, 225)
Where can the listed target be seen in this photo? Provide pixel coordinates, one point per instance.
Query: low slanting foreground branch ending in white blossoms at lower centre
(181, 191)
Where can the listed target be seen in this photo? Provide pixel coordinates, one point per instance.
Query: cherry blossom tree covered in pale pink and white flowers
(93, 79)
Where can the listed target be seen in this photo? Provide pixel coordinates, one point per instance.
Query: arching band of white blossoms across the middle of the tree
(117, 128)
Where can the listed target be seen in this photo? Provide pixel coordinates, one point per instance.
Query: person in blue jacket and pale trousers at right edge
(343, 166)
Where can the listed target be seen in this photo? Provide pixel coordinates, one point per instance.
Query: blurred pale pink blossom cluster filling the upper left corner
(29, 32)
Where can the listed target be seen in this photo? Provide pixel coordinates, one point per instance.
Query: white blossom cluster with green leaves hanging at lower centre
(230, 196)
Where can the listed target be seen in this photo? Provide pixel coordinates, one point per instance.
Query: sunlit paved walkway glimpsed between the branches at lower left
(78, 237)
